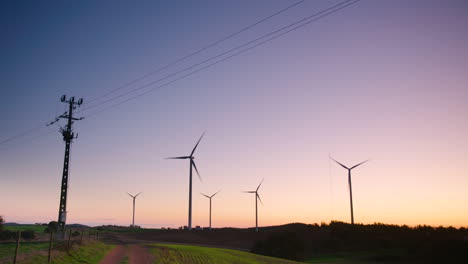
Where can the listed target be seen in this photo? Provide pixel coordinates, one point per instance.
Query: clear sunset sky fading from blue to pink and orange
(381, 80)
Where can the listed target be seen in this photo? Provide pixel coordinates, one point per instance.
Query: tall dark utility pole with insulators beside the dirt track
(68, 136)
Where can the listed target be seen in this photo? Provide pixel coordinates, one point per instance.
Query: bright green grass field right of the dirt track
(181, 254)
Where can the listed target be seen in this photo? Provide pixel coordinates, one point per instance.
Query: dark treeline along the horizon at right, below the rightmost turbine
(375, 242)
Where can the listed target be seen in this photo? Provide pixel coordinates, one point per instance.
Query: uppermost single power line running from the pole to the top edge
(172, 63)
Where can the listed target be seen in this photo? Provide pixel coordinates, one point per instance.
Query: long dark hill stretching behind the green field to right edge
(337, 240)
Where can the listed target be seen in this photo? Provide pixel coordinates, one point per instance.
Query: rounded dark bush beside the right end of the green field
(287, 245)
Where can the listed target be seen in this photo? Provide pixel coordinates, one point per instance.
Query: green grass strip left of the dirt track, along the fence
(91, 253)
